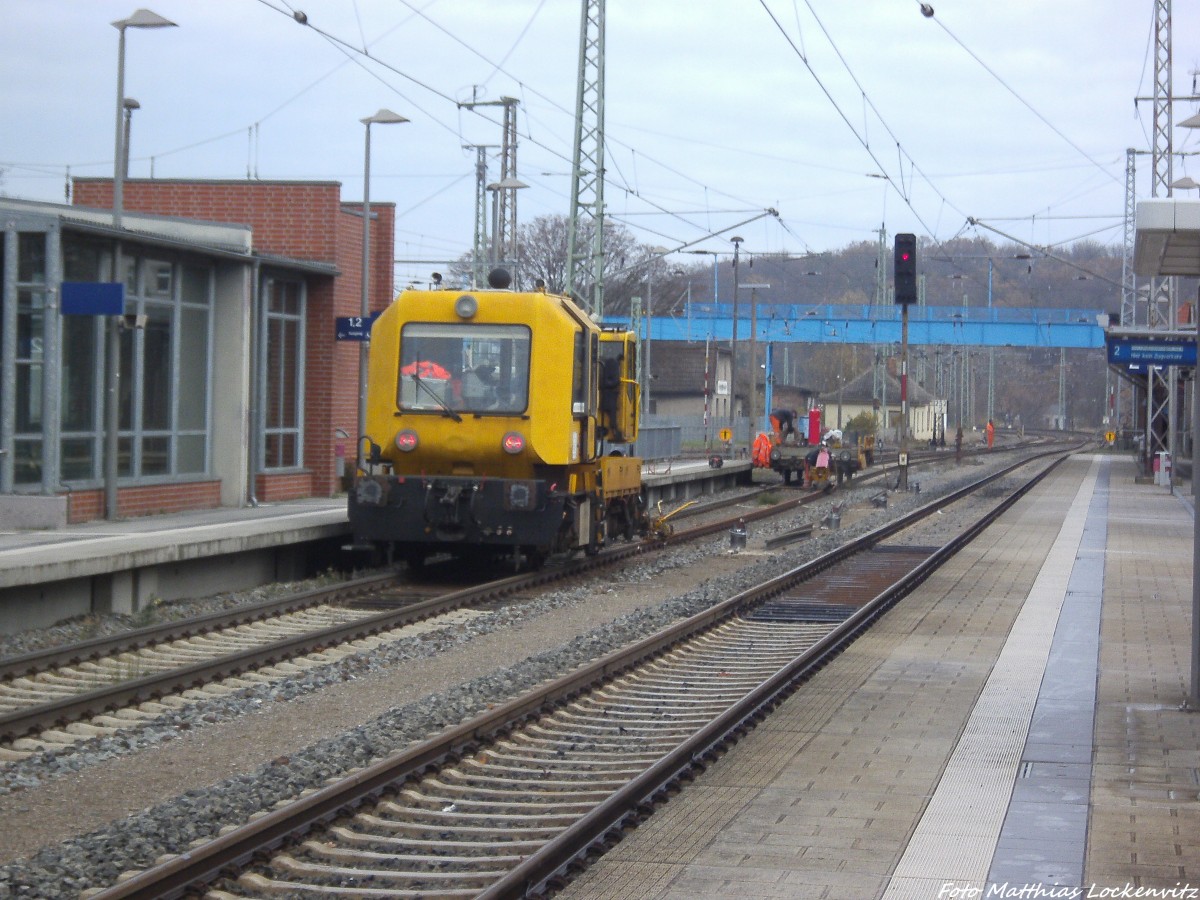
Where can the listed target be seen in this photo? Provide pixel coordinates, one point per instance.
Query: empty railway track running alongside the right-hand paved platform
(505, 805)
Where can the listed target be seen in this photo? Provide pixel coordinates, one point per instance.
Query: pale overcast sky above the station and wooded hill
(1015, 113)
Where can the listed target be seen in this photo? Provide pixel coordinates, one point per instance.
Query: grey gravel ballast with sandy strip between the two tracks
(77, 819)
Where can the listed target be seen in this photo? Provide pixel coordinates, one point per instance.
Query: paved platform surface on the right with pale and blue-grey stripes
(1016, 728)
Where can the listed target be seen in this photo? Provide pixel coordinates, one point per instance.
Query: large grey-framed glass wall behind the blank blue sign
(53, 365)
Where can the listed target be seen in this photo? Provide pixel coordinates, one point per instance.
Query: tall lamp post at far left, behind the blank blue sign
(142, 19)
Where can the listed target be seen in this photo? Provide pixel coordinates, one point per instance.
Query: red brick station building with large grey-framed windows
(233, 389)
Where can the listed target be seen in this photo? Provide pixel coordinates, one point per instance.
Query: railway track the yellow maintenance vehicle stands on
(52, 700)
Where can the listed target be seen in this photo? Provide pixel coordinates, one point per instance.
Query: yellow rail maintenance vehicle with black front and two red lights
(497, 424)
